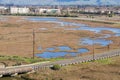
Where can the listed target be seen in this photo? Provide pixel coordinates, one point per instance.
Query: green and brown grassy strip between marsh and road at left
(16, 60)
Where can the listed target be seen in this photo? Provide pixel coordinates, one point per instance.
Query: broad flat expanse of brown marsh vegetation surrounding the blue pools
(16, 36)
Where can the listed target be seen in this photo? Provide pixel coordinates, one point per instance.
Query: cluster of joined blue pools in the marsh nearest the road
(49, 53)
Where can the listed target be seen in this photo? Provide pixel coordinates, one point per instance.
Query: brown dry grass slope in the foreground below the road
(107, 69)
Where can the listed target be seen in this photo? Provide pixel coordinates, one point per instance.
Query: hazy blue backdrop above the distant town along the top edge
(64, 2)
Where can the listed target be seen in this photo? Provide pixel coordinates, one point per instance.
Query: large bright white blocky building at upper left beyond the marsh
(19, 10)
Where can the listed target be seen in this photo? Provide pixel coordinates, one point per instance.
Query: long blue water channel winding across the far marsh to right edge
(77, 26)
